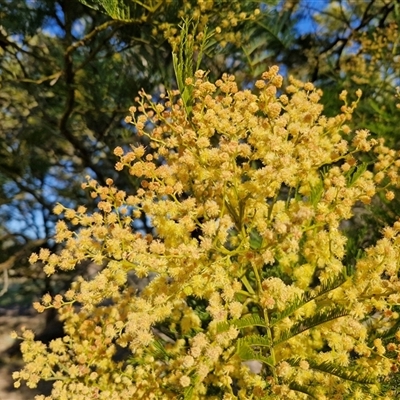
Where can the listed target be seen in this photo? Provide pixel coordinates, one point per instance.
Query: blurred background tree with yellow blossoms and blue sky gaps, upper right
(350, 46)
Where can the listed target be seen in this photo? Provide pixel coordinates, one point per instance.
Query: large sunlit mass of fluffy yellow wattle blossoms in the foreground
(246, 192)
